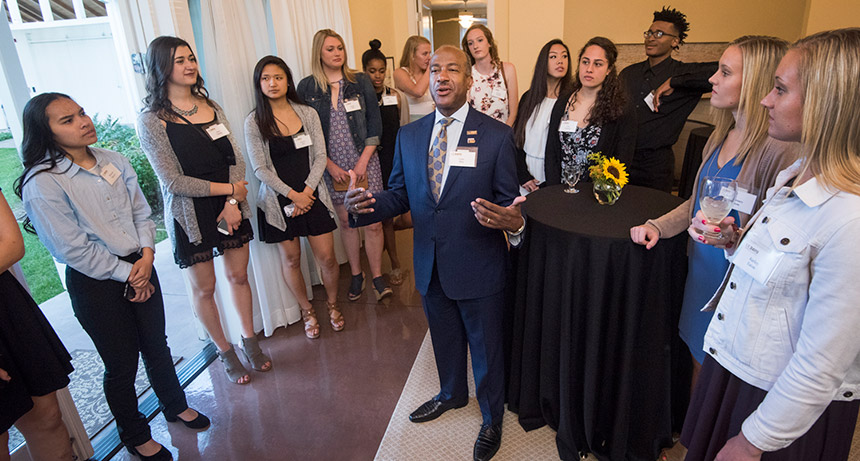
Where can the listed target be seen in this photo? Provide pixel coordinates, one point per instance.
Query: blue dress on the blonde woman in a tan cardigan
(705, 272)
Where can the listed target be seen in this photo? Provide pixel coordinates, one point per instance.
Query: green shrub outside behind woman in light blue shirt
(123, 139)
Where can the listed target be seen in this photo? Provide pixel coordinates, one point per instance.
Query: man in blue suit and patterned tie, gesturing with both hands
(455, 170)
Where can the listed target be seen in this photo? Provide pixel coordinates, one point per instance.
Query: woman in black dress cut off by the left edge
(34, 365)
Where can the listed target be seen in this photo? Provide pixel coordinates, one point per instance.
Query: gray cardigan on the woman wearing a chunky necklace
(179, 190)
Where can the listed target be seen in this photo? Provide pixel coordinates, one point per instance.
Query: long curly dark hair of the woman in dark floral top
(611, 99)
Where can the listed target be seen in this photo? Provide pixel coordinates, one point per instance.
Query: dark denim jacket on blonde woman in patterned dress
(365, 124)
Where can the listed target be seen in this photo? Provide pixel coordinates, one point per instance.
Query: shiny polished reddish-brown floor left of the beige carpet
(329, 399)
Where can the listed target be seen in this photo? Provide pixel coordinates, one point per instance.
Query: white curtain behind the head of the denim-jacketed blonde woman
(296, 22)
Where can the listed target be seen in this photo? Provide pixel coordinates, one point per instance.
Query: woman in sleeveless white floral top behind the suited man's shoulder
(494, 83)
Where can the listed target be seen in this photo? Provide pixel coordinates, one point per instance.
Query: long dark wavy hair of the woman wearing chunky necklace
(159, 66)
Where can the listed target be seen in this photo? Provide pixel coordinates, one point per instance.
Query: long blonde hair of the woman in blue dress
(761, 56)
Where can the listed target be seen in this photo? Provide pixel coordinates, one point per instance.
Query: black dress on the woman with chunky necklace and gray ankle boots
(202, 158)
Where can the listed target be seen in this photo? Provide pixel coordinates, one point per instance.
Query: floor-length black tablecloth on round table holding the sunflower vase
(594, 349)
